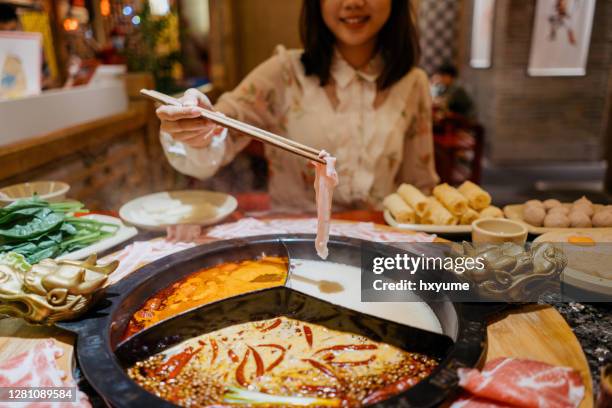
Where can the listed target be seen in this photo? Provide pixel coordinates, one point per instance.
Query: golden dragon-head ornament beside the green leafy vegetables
(51, 290)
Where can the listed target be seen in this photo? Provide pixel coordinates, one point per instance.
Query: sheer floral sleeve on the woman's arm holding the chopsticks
(257, 100)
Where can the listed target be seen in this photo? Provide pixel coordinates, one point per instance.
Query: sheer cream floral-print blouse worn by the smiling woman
(380, 138)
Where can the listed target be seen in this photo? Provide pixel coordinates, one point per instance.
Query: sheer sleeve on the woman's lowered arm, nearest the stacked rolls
(418, 165)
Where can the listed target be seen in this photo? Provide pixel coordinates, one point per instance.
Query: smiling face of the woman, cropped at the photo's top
(355, 22)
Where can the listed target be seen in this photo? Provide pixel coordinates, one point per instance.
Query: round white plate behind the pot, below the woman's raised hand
(157, 211)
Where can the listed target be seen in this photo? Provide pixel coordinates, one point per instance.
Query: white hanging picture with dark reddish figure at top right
(561, 37)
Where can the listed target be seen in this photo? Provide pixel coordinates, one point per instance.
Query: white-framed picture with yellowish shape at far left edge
(20, 64)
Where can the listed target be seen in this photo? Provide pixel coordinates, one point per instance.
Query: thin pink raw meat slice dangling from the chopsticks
(326, 179)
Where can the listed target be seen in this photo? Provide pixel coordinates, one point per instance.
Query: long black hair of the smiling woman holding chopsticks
(397, 43)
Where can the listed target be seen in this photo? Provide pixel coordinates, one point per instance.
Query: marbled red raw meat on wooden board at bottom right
(524, 383)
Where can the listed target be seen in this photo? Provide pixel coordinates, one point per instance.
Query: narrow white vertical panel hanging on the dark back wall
(482, 33)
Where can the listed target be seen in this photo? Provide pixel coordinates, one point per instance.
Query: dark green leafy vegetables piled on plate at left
(36, 229)
